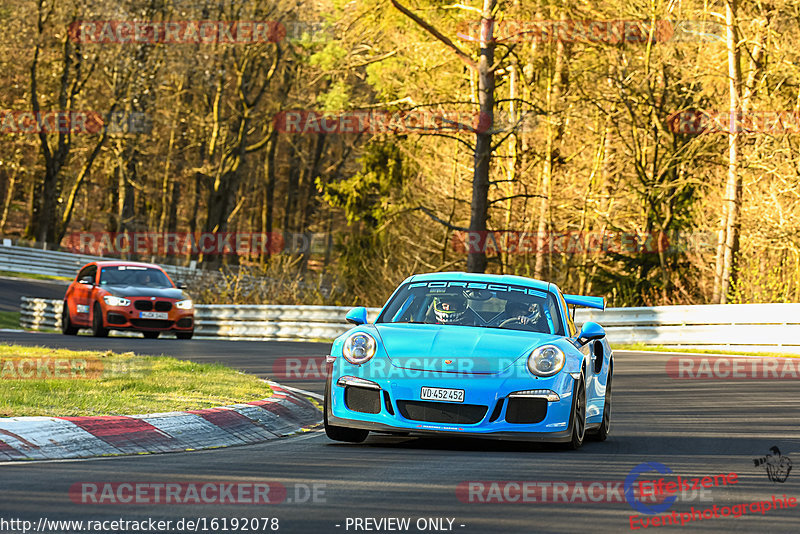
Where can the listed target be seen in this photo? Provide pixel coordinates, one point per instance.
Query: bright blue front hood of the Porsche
(469, 349)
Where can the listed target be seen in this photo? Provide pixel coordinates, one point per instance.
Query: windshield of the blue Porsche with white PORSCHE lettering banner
(477, 304)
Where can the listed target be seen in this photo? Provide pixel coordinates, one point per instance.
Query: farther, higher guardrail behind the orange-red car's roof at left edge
(54, 263)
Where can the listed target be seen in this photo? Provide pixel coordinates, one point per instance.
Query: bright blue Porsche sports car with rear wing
(472, 355)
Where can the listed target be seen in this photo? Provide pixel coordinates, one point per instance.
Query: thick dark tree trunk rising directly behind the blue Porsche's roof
(476, 261)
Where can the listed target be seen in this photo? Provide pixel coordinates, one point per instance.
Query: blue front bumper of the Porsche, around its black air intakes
(492, 391)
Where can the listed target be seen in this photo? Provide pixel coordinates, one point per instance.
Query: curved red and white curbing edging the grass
(45, 438)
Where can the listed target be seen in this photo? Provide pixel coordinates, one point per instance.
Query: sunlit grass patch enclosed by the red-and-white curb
(57, 382)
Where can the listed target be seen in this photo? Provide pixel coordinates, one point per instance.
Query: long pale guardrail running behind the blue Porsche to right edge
(744, 327)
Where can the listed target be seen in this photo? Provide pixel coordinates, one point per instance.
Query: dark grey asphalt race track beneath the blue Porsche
(695, 428)
